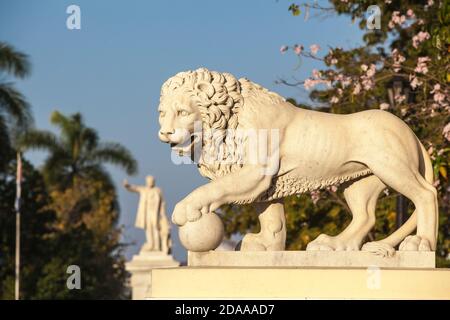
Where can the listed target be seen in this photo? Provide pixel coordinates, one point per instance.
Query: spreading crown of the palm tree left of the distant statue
(76, 152)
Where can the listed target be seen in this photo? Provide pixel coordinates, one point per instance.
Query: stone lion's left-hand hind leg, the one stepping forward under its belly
(361, 196)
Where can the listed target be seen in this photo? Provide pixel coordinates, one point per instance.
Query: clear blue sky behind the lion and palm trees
(112, 69)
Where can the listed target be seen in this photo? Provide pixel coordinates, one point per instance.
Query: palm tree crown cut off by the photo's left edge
(15, 113)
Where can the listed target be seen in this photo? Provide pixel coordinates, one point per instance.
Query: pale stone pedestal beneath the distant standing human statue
(140, 268)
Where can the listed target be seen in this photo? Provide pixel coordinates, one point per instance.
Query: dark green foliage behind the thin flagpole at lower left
(35, 227)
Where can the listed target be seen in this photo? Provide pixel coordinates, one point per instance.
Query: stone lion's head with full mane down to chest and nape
(199, 110)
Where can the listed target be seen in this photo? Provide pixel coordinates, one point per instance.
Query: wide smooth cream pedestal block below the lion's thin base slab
(300, 283)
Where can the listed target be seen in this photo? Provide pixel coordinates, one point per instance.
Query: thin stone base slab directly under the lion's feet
(401, 259)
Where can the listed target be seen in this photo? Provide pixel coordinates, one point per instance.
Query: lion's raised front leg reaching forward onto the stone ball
(242, 186)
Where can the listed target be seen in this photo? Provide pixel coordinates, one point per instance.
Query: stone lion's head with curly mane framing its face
(207, 97)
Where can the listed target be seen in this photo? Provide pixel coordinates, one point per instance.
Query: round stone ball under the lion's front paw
(202, 235)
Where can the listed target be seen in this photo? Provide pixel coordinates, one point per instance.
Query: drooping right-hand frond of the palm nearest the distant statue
(116, 154)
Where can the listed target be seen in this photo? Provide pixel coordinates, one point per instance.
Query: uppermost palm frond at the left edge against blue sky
(13, 62)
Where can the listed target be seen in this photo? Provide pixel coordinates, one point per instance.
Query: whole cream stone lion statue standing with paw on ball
(364, 153)
